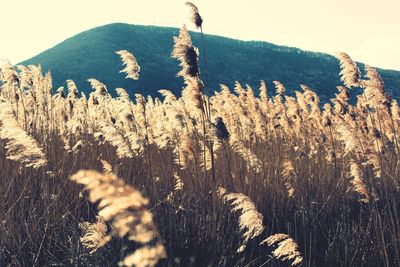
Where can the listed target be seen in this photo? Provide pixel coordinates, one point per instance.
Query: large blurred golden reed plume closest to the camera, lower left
(125, 209)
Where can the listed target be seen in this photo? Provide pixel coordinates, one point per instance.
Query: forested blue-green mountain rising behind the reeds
(90, 54)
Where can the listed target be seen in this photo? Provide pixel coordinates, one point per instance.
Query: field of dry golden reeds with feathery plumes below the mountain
(240, 178)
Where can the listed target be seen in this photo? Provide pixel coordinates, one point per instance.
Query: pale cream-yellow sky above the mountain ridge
(368, 30)
